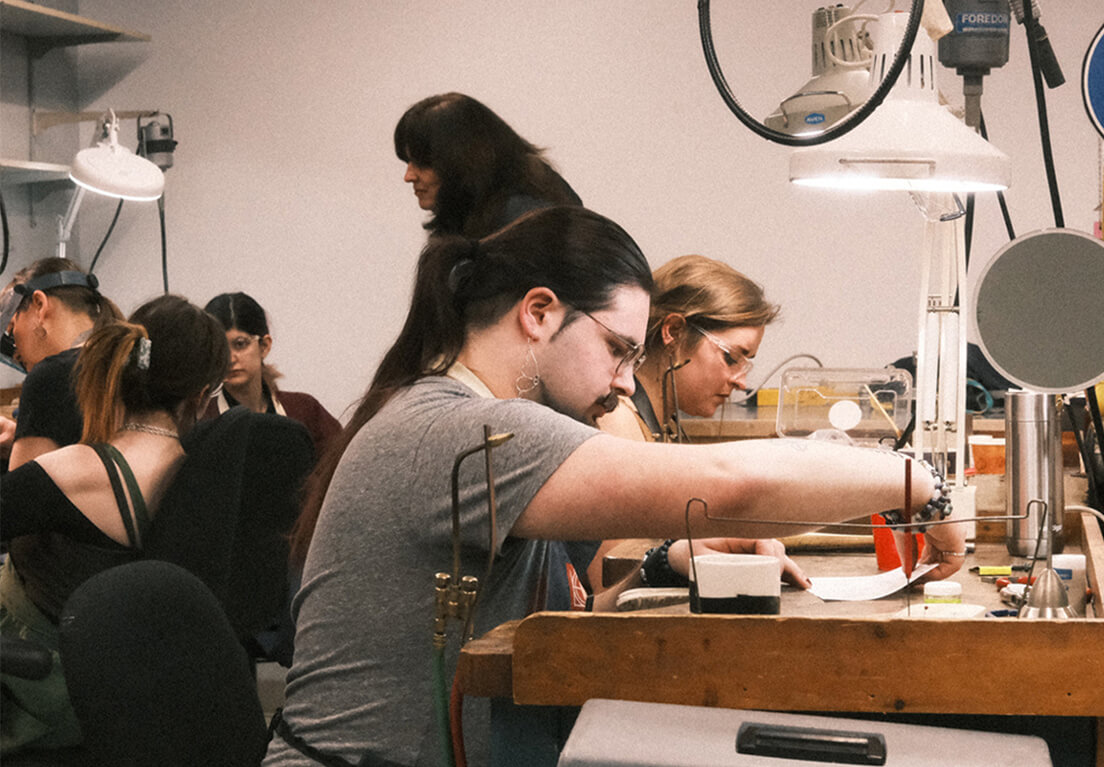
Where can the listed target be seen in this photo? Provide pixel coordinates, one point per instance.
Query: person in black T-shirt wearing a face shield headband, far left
(47, 313)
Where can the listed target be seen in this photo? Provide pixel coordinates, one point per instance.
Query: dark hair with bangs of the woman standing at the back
(481, 161)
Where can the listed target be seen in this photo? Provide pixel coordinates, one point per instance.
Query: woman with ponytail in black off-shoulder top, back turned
(141, 387)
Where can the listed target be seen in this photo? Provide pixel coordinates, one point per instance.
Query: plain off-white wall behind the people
(286, 185)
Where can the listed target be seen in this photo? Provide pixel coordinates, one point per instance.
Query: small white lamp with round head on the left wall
(112, 171)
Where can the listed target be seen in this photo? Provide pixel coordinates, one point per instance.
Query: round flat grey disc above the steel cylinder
(1039, 311)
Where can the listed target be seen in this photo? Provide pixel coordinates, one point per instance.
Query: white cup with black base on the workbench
(736, 584)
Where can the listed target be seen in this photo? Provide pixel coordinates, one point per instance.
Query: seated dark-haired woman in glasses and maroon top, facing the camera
(251, 381)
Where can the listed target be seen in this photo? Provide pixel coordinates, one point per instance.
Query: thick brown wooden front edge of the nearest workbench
(842, 661)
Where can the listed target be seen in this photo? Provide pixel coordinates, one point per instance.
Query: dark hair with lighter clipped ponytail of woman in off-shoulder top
(187, 354)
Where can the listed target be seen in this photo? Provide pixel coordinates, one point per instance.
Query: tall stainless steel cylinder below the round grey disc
(1034, 473)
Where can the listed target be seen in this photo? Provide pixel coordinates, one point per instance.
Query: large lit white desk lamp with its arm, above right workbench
(912, 143)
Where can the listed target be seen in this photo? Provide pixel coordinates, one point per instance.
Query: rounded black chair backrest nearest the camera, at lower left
(156, 674)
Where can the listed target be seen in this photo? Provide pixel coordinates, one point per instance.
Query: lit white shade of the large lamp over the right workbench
(910, 142)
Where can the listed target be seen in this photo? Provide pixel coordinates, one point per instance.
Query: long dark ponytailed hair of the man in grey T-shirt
(464, 284)
